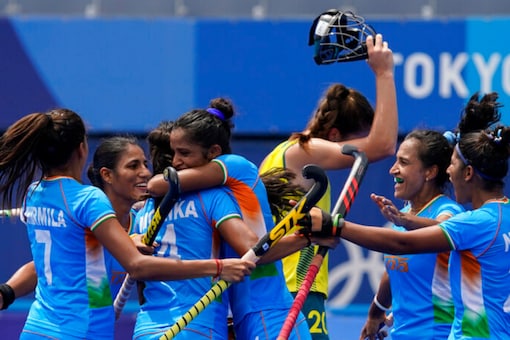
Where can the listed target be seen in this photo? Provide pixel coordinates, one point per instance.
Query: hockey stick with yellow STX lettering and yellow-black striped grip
(263, 245)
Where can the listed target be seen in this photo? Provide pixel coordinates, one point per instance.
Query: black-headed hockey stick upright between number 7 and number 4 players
(170, 174)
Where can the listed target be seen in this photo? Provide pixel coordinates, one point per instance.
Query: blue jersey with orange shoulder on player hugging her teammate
(265, 291)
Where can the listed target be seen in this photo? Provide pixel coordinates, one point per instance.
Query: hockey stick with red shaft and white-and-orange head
(342, 207)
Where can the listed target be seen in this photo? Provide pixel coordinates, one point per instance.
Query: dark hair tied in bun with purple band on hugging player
(207, 128)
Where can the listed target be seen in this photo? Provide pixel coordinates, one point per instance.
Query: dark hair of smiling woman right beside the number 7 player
(107, 155)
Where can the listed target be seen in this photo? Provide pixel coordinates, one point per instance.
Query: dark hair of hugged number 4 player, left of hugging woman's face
(159, 146)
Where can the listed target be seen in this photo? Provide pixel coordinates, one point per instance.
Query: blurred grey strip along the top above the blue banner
(259, 9)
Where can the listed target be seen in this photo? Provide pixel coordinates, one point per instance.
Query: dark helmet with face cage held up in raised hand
(339, 36)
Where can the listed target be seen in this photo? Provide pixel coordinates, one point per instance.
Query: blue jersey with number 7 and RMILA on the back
(72, 297)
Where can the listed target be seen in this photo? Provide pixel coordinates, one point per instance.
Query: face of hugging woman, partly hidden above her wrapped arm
(188, 154)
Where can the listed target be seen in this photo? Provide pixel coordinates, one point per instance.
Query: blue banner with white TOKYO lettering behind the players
(128, 74)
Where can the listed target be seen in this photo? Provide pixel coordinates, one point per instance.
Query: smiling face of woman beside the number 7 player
(128, 180)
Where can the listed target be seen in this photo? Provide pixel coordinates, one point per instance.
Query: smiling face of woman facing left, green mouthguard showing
(408, 171)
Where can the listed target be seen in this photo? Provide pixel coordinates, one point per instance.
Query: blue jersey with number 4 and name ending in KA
(189, 232)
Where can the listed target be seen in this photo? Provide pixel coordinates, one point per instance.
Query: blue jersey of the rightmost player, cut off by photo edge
(480, 271)
